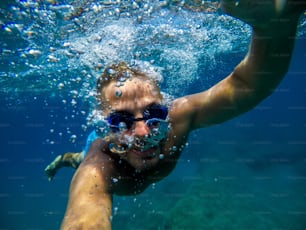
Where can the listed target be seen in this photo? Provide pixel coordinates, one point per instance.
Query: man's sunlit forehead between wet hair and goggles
(133, 94)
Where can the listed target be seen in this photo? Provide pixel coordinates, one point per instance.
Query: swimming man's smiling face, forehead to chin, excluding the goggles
(135, 97)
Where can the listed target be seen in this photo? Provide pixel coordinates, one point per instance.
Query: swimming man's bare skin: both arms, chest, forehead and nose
(102, 173)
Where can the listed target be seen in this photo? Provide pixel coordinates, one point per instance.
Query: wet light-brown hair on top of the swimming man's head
(119, 73)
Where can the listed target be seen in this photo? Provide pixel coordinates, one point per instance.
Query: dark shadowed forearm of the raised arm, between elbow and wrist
(268, 59)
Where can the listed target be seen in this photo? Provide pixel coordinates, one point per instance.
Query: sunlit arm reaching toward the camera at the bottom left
(90, 201)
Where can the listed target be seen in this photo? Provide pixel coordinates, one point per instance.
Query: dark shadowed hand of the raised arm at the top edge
(264, 14)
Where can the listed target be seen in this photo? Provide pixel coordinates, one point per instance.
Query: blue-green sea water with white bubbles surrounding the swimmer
(249, 173)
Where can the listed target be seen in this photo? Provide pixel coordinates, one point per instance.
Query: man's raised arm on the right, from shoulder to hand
(259, 73)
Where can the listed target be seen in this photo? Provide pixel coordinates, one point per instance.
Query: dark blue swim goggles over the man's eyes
(123, 120)
